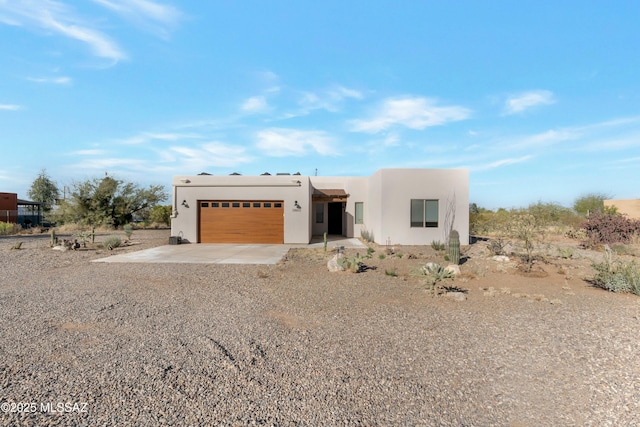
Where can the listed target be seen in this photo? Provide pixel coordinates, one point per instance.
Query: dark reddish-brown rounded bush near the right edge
(607, 228)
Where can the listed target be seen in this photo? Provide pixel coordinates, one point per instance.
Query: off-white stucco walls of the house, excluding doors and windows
(386, 197)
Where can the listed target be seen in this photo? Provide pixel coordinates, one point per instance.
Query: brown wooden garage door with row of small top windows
(233, 221)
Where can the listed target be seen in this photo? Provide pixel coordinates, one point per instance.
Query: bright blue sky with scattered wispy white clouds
(539, 100)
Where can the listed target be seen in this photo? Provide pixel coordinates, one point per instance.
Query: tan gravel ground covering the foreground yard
(292, 344)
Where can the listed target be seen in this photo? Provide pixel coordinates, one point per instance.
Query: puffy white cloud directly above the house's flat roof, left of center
(281, 142)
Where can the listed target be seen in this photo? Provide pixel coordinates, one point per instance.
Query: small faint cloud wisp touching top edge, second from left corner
(152, 16)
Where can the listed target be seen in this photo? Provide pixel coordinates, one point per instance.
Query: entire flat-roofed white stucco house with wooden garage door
(395, 206)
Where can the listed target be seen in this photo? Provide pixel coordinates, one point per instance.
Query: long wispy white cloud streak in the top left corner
(51, 15)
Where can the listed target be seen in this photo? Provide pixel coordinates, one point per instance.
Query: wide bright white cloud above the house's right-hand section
(412, 112)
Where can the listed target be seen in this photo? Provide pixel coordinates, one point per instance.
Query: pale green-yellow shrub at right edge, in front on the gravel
(617, 275)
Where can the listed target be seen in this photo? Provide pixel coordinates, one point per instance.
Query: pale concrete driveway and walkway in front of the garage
(218, 253)
